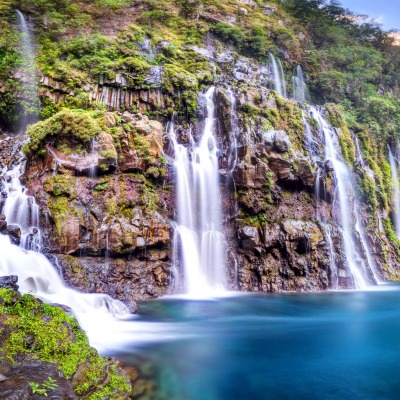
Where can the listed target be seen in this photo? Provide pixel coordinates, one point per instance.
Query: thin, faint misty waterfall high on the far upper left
(29, 78)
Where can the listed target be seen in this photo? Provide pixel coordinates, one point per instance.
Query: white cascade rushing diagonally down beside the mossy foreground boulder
(95, 312)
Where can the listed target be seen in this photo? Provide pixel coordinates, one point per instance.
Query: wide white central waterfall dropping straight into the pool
(198, 232)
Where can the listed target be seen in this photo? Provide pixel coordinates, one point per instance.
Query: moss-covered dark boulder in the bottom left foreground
(37, 337)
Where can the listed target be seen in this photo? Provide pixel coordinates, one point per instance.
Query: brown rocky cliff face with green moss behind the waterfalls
(107, 192)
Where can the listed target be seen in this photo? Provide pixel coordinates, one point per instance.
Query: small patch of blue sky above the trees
(386, 12)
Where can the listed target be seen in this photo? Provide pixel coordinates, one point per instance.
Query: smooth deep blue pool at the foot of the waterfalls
(333, 345)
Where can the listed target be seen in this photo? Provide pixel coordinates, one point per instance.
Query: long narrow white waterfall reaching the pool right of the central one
(345, 192)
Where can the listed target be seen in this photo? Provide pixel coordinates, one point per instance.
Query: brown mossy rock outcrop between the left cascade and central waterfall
(106, 211)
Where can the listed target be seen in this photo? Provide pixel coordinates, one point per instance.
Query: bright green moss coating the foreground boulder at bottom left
(56, 337)
